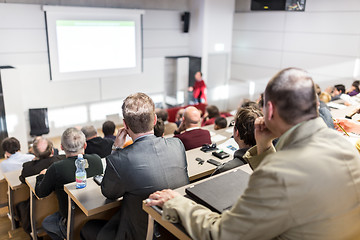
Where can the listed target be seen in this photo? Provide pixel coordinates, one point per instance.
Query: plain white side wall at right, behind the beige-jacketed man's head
(324, 40)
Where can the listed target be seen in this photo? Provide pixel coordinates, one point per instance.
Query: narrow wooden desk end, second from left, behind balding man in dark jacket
(37, 210)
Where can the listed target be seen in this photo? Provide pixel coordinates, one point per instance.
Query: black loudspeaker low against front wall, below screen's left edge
(39, 123)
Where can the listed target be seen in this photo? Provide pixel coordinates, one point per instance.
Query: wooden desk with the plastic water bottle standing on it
(85, 204)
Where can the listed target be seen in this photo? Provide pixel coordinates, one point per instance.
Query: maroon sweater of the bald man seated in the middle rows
(194, 138)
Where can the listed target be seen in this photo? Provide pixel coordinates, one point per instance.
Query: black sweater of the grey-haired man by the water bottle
(61, 173)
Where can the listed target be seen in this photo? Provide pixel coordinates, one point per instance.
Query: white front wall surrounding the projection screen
(23, 46)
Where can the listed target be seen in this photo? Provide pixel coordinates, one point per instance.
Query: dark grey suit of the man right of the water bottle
(148, 165)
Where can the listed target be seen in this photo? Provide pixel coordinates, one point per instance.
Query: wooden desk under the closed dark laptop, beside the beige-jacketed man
(177, 229)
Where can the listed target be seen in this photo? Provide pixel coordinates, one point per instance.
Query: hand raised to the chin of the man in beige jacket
(263, 135)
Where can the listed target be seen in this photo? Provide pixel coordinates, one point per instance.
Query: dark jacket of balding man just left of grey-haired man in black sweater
(36, 166)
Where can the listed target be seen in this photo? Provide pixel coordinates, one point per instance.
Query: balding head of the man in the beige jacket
(292, 91)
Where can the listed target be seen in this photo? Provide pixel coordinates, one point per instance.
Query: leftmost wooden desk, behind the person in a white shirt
(17, 191)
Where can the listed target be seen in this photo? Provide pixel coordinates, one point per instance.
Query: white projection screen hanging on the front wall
(93, 42)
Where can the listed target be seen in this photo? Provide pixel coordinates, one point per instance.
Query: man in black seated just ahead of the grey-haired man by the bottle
(95, 144)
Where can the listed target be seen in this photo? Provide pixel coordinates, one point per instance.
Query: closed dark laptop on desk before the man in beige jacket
(221, 192)
